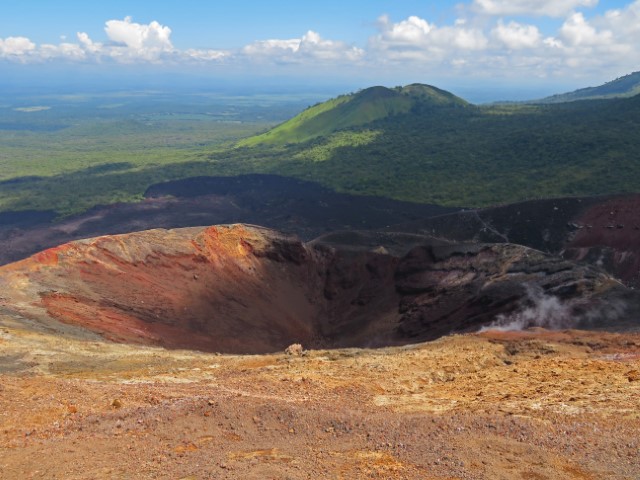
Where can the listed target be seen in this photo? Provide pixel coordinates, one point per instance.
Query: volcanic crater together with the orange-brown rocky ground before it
(96, 380)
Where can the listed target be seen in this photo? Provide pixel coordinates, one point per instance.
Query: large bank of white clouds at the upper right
(481, 45)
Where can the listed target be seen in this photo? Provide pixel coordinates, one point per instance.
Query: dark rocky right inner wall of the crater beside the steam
(458, 288)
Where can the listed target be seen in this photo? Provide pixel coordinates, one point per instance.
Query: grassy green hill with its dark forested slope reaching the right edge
(422, 144)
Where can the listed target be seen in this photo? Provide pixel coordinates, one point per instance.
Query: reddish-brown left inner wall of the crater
(230, 289)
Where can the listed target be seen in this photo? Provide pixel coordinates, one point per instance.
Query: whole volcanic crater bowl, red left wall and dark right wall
(246, 289)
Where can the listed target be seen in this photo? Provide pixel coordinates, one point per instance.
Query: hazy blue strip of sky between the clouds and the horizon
(28, 82)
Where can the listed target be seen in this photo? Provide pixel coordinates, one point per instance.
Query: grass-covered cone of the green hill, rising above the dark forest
(355, 110)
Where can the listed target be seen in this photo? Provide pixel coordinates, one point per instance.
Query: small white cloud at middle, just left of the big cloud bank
(311, 46)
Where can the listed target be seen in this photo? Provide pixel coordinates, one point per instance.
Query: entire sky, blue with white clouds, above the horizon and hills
(490, 42)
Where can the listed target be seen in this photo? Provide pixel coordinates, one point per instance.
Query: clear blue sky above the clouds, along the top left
(219, 24)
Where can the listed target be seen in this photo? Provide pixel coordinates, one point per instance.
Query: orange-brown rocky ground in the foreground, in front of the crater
(526, 405)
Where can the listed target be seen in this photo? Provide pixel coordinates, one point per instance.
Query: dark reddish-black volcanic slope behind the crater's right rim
(603, 231)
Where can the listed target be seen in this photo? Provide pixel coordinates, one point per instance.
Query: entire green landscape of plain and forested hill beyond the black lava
(415, 143)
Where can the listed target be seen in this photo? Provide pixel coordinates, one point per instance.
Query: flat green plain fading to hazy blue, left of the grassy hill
(84, 150)
